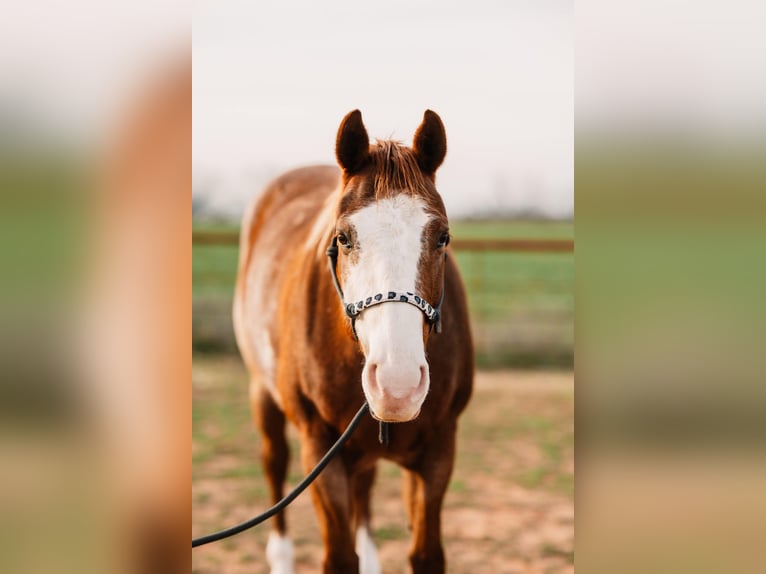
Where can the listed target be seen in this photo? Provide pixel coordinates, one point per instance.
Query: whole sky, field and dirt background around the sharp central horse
(272, 81)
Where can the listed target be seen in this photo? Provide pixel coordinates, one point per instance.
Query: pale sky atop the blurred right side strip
(691, 65)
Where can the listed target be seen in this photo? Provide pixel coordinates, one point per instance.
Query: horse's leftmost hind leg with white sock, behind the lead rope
(275, 454)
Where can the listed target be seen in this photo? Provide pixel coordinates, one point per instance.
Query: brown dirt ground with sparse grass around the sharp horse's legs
(509, 508)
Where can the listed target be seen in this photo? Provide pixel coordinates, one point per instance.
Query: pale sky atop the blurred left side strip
(73, 66)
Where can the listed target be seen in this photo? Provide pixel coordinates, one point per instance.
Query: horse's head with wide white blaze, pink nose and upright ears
(391, 232)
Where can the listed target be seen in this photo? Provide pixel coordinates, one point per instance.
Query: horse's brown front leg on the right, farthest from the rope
(429, 483)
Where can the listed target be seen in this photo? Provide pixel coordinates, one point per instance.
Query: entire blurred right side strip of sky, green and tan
(670, 176)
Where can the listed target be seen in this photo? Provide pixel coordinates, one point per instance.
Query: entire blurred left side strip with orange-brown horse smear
(95, 179)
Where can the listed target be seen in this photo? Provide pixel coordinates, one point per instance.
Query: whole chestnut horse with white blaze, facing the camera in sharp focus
(319, 342)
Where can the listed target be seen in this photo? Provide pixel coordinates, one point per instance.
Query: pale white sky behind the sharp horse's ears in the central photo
(272, 80)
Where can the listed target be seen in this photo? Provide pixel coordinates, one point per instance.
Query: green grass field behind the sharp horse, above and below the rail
(521, 304)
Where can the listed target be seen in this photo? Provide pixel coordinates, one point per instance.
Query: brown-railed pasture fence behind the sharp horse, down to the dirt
(520, 291)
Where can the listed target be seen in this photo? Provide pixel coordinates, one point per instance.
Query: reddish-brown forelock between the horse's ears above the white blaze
(396, 170)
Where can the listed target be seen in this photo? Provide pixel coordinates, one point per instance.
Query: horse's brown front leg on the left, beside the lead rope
(331, 495)
